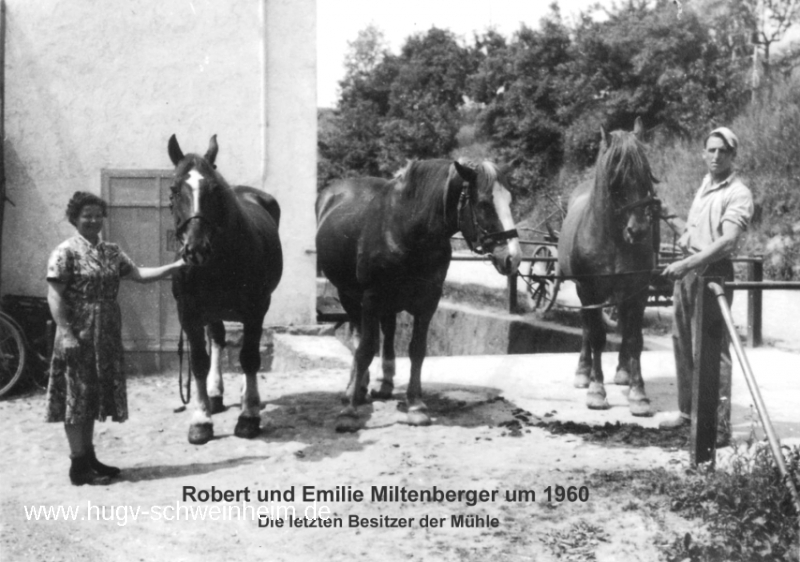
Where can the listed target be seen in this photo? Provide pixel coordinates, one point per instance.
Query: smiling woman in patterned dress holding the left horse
(86, 378)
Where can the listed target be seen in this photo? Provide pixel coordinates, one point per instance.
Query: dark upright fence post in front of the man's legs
(708, 327)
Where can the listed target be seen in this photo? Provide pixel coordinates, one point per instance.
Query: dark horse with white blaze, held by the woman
(229, 238)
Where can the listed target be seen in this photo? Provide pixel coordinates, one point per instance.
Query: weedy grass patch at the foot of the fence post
(744, 510)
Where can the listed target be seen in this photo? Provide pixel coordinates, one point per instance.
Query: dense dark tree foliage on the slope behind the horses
(542, 95)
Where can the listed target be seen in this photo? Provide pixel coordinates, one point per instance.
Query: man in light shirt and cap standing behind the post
(720, 214)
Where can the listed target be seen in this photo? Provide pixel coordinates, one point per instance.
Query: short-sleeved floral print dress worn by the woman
(91, 384)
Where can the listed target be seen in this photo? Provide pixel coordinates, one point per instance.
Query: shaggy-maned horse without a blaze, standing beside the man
(607, 245)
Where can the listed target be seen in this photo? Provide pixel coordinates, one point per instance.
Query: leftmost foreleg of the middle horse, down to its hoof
(347, 420)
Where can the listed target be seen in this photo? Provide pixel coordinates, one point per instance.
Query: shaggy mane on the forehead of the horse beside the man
(623, 162)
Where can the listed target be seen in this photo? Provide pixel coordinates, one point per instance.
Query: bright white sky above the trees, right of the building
(339, 21)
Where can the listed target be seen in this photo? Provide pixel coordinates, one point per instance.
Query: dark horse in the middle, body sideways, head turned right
(385, 245)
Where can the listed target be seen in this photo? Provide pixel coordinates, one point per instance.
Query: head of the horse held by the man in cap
(624, 173)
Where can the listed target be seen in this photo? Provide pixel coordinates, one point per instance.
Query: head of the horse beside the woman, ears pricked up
(195, 201)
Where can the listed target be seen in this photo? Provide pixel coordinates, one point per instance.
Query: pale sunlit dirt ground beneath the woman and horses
(485, 437)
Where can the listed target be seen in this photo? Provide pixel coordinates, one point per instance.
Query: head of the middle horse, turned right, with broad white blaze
(484, 214)
